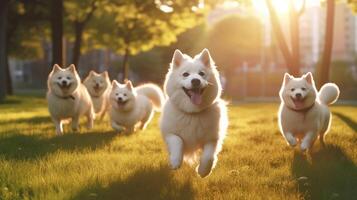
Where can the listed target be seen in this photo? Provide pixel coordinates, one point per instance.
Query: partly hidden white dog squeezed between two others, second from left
(98, 86)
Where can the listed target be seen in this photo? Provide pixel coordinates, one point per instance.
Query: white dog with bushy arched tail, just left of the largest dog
(131, 106)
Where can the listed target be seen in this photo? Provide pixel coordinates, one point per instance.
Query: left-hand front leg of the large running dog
(175, 147)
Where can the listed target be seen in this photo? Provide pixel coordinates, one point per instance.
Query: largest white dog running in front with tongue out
(194, 116)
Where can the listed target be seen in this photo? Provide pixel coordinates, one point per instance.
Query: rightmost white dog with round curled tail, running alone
(304, 114)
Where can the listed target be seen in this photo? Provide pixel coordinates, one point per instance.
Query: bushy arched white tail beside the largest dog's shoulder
(154, 93)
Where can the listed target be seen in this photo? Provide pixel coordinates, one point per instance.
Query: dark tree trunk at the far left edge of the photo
(3, 24)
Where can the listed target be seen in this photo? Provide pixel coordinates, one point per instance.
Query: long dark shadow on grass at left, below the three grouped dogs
(23, 147)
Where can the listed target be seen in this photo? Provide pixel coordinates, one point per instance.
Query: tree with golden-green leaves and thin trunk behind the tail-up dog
(130, 27)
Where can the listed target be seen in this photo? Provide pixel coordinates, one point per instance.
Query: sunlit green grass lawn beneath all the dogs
(255, 162)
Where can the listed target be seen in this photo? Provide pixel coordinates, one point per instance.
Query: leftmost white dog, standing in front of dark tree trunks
(69, 102)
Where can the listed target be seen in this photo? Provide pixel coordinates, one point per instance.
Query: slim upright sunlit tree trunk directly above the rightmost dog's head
(295, 45)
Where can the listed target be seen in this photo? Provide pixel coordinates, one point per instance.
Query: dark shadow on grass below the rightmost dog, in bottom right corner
(331, 174)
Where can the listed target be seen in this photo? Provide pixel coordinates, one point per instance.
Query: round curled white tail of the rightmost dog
(329, 93)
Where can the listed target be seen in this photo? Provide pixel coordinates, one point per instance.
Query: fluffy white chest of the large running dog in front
(194, 129)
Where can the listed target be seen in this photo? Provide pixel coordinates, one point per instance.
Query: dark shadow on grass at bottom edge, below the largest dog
(143, 184)
